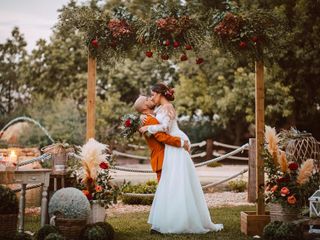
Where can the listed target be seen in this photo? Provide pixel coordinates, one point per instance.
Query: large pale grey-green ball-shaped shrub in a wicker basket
(69, 203)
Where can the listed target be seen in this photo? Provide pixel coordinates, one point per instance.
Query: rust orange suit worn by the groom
(156, 143)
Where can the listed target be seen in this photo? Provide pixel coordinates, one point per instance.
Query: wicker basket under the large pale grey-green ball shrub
(70, 228)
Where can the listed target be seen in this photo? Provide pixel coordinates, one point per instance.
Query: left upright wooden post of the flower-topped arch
(91, 97)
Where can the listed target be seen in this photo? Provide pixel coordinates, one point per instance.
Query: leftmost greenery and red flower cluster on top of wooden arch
(107, 36)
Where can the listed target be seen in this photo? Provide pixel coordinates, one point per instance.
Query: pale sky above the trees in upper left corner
(35, 18)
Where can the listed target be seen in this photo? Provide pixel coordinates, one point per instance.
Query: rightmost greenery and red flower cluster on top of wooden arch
(246, 34)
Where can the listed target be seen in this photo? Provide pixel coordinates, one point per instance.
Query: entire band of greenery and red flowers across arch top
(173, 31)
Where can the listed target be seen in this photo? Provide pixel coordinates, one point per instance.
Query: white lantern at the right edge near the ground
(314, 222)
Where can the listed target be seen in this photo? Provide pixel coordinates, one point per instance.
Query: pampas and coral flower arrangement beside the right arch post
(287, 183)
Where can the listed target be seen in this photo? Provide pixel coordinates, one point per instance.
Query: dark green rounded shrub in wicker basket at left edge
(9, 209)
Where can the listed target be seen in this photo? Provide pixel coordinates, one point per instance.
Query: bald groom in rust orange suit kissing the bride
(157, 141)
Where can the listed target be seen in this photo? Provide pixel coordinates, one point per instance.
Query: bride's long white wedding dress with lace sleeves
(179, 205)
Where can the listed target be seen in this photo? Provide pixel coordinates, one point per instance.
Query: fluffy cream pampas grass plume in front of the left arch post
(92, 153)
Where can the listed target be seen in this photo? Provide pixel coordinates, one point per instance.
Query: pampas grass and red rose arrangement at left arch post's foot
(94, 176)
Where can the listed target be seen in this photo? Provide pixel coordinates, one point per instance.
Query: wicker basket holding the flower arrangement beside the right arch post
(279, 213)
